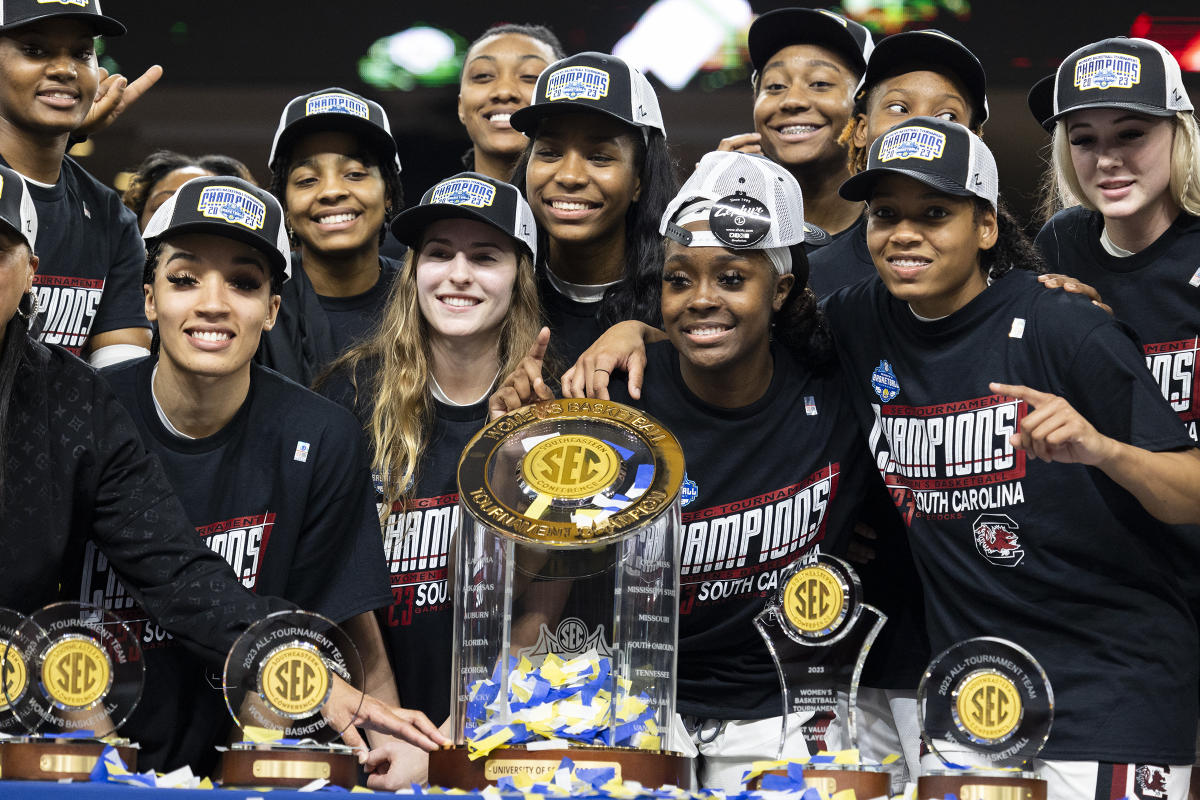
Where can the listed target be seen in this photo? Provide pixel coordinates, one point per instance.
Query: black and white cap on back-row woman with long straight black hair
(597, 82)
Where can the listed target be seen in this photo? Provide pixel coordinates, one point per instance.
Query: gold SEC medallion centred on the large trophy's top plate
(571, 467)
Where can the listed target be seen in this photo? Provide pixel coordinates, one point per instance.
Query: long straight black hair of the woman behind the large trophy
(640, 291)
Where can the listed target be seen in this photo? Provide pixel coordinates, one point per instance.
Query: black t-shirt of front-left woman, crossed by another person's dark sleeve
(284, 495)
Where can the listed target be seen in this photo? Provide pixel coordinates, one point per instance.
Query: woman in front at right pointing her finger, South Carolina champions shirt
(1073, 452)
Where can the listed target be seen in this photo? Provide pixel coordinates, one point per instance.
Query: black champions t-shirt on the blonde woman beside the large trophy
(418, 625)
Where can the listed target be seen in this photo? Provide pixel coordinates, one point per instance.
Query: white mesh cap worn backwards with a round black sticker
(748, 201)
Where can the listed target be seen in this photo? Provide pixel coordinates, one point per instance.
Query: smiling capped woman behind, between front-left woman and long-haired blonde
(335, 170)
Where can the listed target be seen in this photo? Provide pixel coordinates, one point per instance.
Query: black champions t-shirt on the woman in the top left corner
(92, 258)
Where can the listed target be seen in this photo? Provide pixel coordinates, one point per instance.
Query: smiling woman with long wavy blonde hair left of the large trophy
(464, 309)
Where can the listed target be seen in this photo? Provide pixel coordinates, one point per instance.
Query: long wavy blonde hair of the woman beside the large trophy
(397, 362)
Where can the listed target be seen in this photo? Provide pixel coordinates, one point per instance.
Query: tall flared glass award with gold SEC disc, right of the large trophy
(819, 633)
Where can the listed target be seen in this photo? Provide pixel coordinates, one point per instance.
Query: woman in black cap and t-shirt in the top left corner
(89, 287)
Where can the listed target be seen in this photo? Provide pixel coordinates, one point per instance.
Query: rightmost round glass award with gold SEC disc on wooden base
(986, 708)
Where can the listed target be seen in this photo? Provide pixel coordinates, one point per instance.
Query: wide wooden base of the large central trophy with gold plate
(452, 769)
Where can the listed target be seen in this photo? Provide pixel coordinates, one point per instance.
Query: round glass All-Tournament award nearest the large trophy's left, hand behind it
(279, 678)
